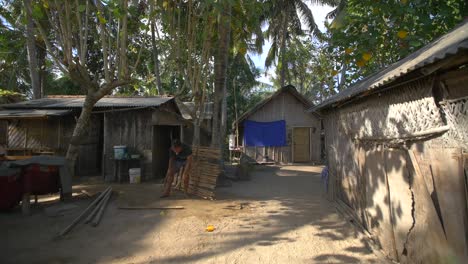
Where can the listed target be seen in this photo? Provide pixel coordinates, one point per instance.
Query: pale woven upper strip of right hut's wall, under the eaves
(398, 113)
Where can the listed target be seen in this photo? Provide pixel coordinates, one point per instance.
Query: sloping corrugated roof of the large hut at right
(445, 46)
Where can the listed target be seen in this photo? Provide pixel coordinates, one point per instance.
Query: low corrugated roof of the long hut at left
(78, 101)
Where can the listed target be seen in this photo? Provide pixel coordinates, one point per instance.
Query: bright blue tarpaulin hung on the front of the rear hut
(265, 134)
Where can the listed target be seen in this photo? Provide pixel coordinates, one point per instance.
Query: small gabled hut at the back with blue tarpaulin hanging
(279, 129)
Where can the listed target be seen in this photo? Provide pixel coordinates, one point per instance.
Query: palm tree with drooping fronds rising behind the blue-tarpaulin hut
(284, 21)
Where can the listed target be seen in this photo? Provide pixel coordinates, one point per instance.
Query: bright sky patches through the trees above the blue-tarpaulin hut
(319, 13)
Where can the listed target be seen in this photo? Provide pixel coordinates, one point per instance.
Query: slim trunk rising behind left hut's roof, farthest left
(32, 56)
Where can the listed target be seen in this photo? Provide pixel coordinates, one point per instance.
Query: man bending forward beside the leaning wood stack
(180, 157)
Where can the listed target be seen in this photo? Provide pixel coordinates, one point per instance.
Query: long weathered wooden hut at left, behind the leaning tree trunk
(145, 125)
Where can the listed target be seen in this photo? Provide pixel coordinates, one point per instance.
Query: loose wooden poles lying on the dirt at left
(94, 211)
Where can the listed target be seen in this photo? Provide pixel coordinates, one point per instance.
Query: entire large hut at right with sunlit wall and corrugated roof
(396, 146)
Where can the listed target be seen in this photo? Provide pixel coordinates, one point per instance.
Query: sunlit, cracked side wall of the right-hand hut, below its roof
(374, 161)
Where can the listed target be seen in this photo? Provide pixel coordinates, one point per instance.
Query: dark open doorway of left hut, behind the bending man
(162, 137)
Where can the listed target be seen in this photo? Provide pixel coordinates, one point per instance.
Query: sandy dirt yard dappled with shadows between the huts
(280, 216)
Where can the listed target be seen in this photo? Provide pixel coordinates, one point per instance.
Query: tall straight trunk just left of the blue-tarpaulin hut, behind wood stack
(221, 62)
